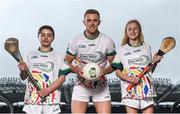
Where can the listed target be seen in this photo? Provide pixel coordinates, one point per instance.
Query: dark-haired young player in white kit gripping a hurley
(44, 64)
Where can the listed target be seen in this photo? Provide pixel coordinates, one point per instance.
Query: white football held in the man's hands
(91, 71)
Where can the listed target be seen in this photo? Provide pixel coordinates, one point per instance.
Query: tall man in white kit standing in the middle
(91, 46)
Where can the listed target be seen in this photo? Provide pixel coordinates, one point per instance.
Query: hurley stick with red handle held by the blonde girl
(167, 44)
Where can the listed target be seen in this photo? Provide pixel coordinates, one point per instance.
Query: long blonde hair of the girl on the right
(125, 39)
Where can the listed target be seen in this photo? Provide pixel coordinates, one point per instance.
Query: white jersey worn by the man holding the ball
(87, 51)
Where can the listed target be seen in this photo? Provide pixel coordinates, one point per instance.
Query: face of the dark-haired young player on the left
(46, 38)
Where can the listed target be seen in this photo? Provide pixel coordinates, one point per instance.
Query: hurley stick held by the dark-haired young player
(12, 47)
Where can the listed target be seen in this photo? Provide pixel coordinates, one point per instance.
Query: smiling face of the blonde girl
(133, 31)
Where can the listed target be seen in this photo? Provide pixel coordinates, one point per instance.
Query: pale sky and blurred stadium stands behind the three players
(22, 19)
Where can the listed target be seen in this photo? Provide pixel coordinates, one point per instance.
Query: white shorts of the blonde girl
(137, 103)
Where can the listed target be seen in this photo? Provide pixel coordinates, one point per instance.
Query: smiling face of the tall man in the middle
(91, 21)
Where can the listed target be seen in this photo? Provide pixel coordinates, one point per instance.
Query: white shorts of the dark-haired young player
(42, 109)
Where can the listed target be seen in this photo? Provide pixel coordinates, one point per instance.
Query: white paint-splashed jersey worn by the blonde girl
(132, 60)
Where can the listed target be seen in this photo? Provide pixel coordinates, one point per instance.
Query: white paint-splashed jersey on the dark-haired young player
(44, 67)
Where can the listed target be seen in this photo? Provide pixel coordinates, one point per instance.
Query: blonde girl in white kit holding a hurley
(133, 55)
